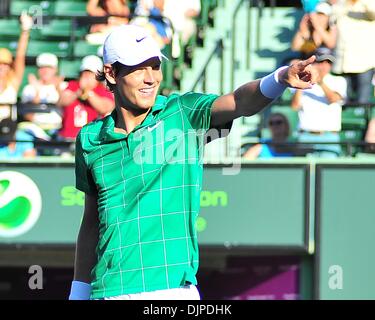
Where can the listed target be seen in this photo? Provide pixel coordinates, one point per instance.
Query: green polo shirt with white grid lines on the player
(148, 184)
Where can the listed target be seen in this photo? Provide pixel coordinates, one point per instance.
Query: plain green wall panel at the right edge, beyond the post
(346, 237)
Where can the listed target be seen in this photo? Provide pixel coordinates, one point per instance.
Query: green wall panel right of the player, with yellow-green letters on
(260, 206)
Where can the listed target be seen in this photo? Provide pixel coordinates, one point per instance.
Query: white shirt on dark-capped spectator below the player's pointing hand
(316, 114)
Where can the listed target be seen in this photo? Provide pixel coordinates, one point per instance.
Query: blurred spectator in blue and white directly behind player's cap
(152, 19)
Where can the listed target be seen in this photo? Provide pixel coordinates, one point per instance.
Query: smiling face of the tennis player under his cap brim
(137, 87)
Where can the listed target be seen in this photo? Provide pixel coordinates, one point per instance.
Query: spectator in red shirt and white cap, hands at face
(84, 100)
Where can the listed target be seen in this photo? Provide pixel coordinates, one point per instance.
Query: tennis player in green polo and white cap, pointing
(141, 171)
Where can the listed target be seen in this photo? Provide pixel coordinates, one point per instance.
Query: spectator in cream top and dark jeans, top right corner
(355, 50)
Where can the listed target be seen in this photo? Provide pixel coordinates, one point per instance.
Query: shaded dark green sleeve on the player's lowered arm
(84, 180)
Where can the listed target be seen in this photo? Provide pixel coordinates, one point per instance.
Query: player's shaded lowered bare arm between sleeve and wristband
(87, 241)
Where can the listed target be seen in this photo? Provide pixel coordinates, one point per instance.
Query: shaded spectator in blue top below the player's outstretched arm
(280, 131)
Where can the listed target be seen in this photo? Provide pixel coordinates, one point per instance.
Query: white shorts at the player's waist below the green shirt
(188, 292)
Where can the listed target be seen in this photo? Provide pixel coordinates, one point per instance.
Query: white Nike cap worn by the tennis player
(130, 45)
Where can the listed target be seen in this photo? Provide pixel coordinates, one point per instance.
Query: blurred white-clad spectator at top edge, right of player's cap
(182, 14)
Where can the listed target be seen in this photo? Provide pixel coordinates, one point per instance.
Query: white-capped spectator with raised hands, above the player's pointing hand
(315, 30)
